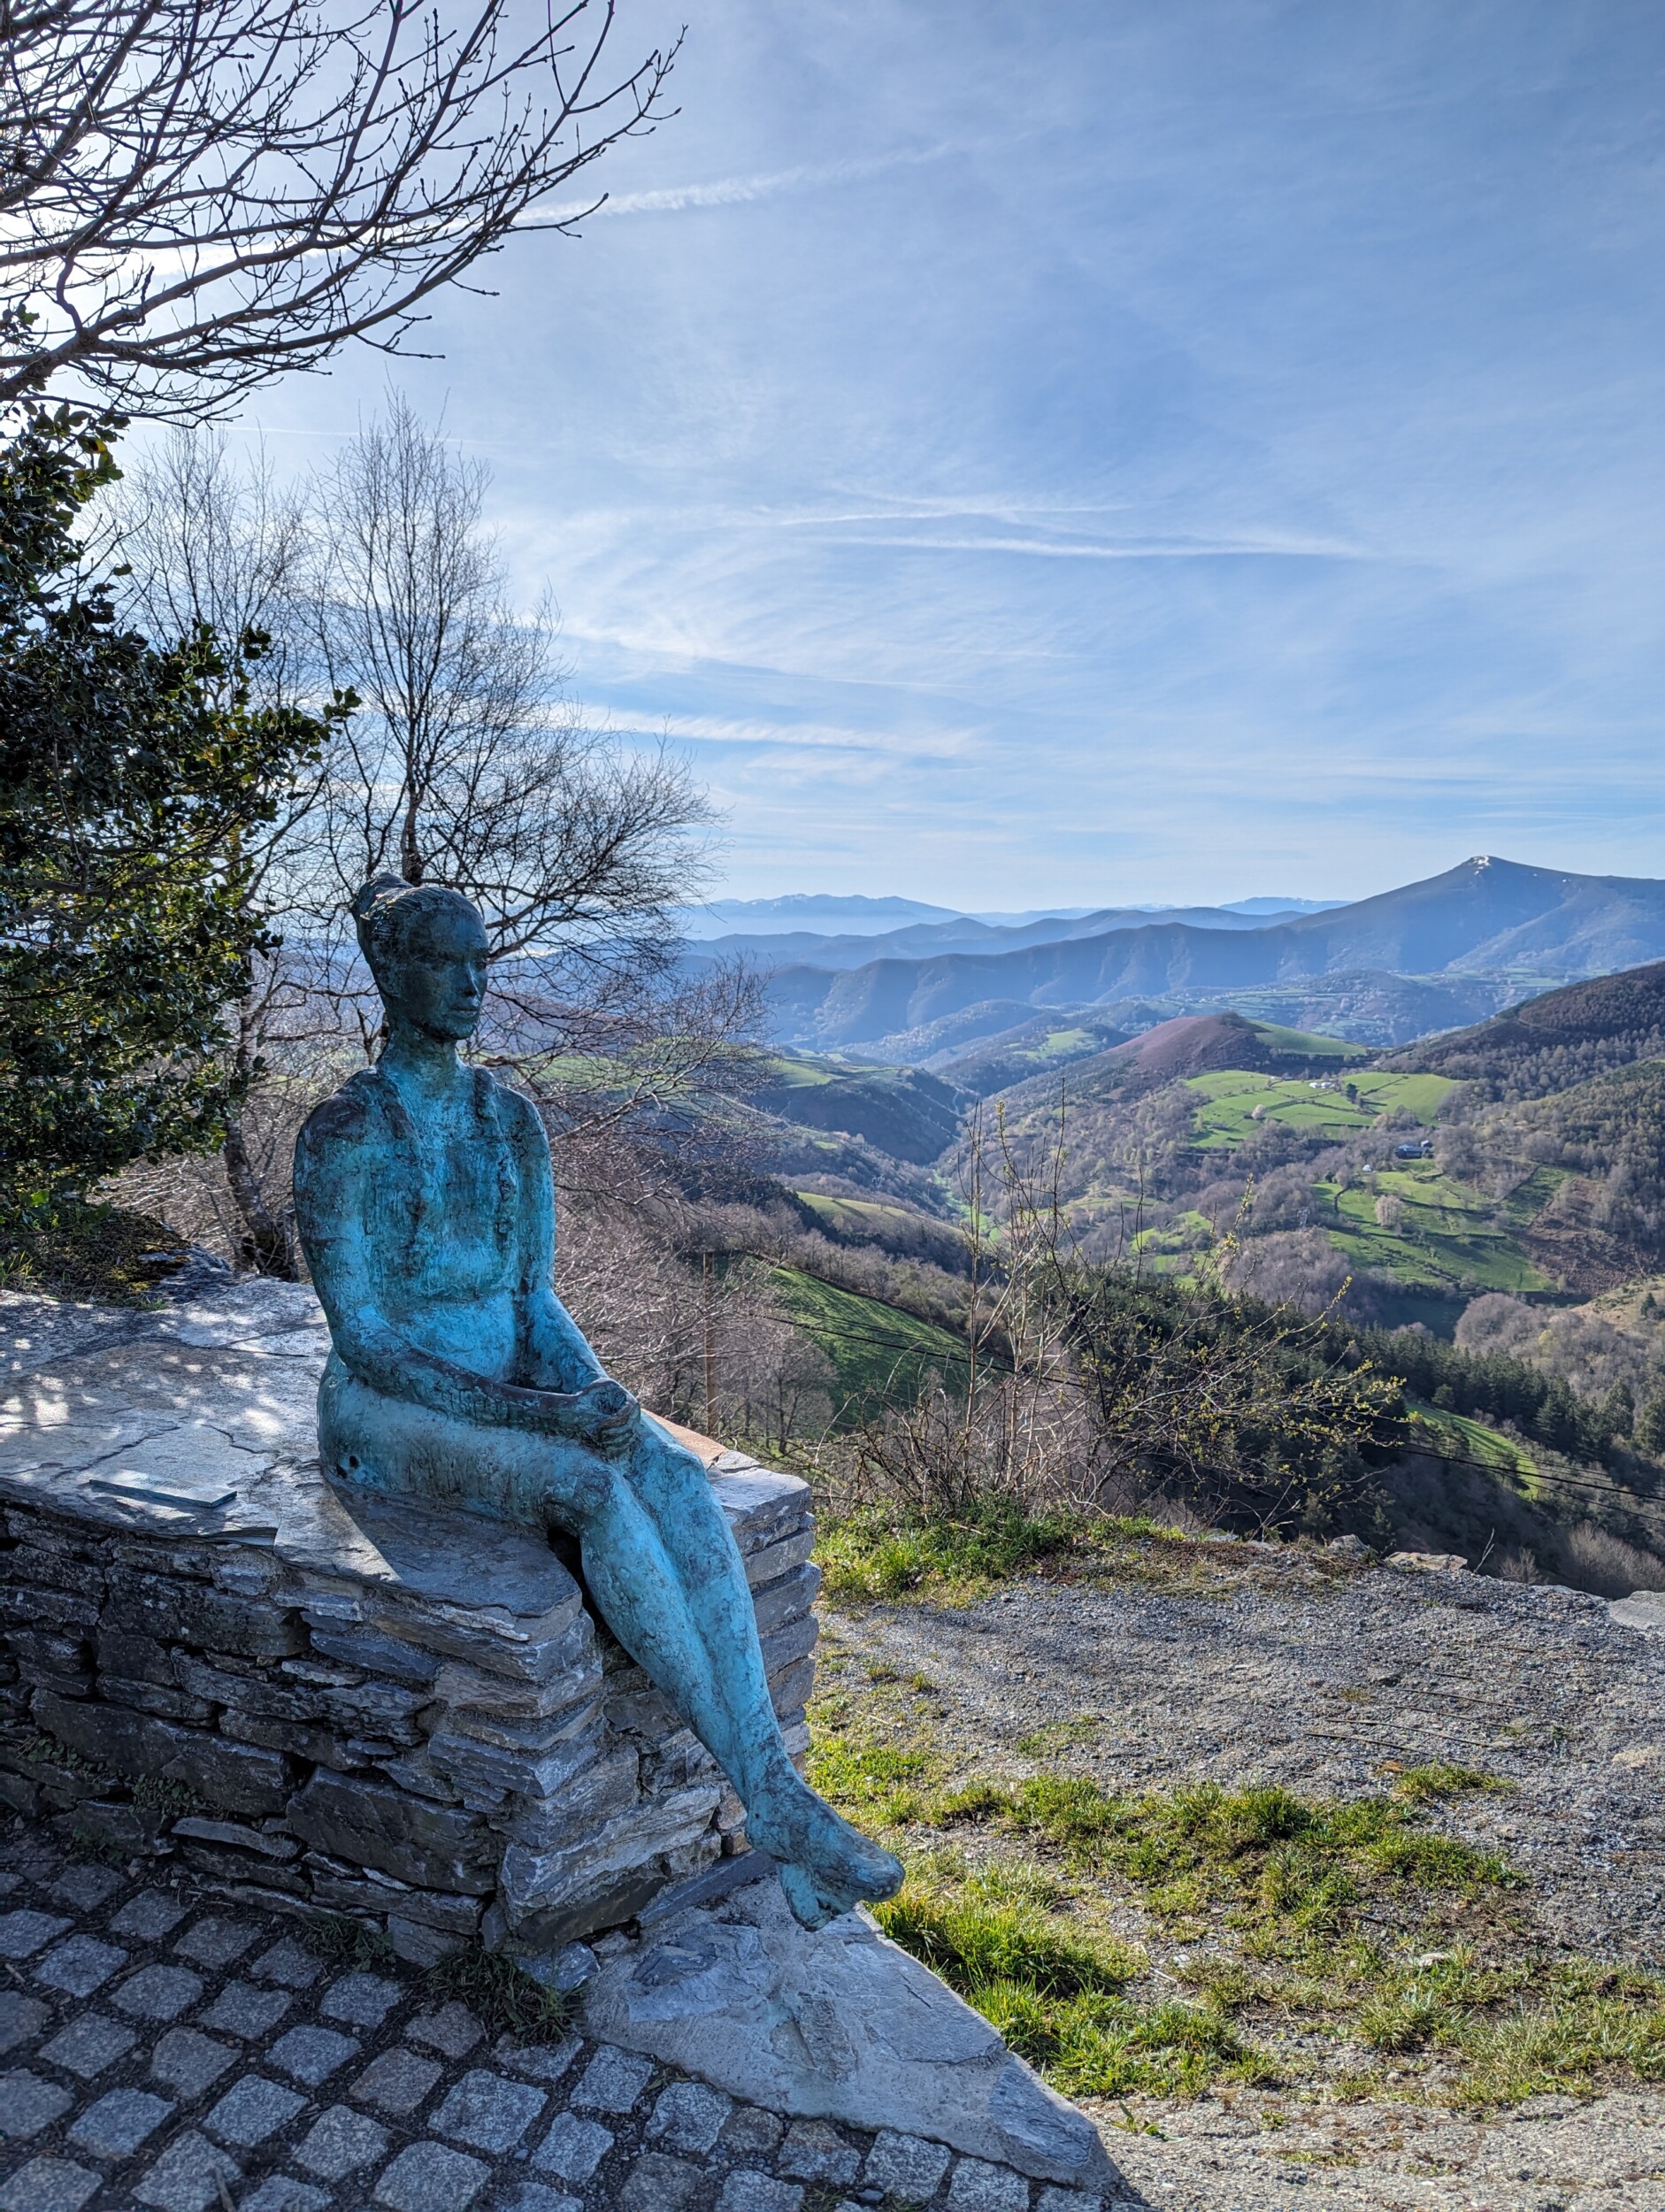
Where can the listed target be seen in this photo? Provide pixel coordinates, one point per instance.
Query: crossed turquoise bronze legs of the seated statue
(671, 1587)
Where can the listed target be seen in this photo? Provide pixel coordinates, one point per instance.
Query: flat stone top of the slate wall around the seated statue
(196, 1426)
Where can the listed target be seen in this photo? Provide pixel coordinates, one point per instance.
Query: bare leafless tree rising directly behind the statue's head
(470, 766)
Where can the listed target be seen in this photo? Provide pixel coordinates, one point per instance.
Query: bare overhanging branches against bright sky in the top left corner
(198, 196)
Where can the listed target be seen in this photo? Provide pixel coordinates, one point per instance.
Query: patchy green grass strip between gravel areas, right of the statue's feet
(1345, 1943)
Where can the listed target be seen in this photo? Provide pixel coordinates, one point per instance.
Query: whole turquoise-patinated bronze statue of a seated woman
(428, 1215)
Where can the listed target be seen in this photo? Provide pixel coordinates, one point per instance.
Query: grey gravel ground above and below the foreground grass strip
(1284, 1669)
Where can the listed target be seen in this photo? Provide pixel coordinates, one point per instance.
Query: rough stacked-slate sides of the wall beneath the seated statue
(366, 1709)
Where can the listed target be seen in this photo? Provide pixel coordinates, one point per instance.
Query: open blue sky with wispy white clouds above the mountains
(1104, 452)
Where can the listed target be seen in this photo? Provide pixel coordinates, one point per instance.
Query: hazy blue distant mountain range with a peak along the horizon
(1500, 921)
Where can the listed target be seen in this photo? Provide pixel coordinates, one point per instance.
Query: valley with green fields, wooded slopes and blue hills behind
(1494, 1189)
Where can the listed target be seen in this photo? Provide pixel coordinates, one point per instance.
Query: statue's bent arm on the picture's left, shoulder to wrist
(333, 1162)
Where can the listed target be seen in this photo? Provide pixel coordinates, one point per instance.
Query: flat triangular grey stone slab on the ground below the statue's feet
(835, 2025)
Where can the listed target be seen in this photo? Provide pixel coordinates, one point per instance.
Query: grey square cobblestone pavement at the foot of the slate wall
(163, 2049)
